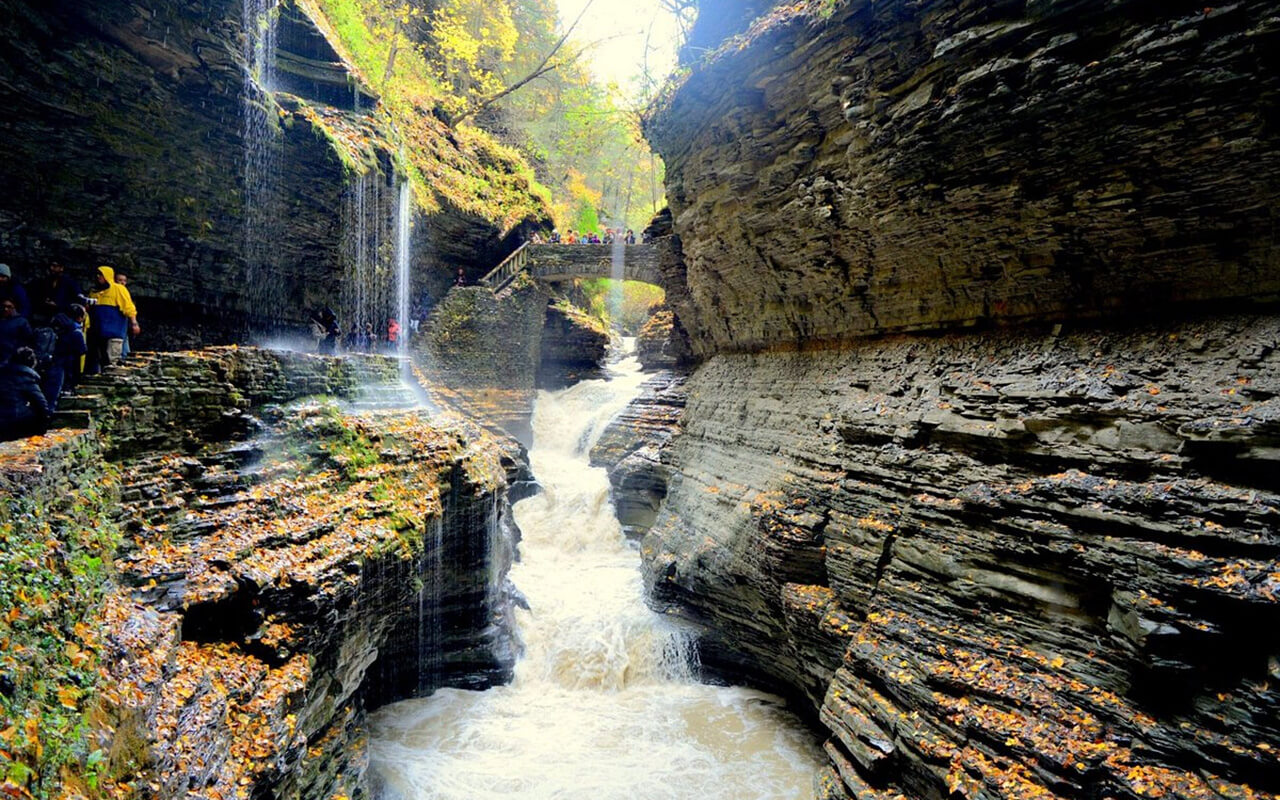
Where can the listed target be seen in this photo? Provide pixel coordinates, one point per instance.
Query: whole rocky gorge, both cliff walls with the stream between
(959, 432)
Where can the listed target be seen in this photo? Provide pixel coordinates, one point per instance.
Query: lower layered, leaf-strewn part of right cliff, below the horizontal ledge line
(1018, 565)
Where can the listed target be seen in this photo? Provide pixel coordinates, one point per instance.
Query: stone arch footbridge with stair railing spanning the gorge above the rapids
(561, 263)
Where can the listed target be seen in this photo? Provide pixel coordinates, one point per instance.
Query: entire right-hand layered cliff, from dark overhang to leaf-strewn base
(977, 463)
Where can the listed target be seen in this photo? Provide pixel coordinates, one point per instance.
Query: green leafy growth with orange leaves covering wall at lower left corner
(56, 556)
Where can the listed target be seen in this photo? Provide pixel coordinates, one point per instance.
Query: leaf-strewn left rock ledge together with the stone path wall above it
(316, 563)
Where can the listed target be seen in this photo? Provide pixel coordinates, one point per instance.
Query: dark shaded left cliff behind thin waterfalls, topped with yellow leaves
(127, 140)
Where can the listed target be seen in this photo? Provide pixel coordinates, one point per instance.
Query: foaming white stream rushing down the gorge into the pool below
(602, 707)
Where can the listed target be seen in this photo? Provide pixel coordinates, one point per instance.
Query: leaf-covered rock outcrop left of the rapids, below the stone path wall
(277, 591)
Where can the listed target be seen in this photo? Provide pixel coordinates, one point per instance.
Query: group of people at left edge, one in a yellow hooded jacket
(52, 333)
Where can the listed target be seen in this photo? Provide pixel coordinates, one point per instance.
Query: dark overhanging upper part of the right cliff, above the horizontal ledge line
(857, 168)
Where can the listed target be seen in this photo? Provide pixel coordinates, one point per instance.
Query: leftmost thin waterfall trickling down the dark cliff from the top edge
(262, 179)
